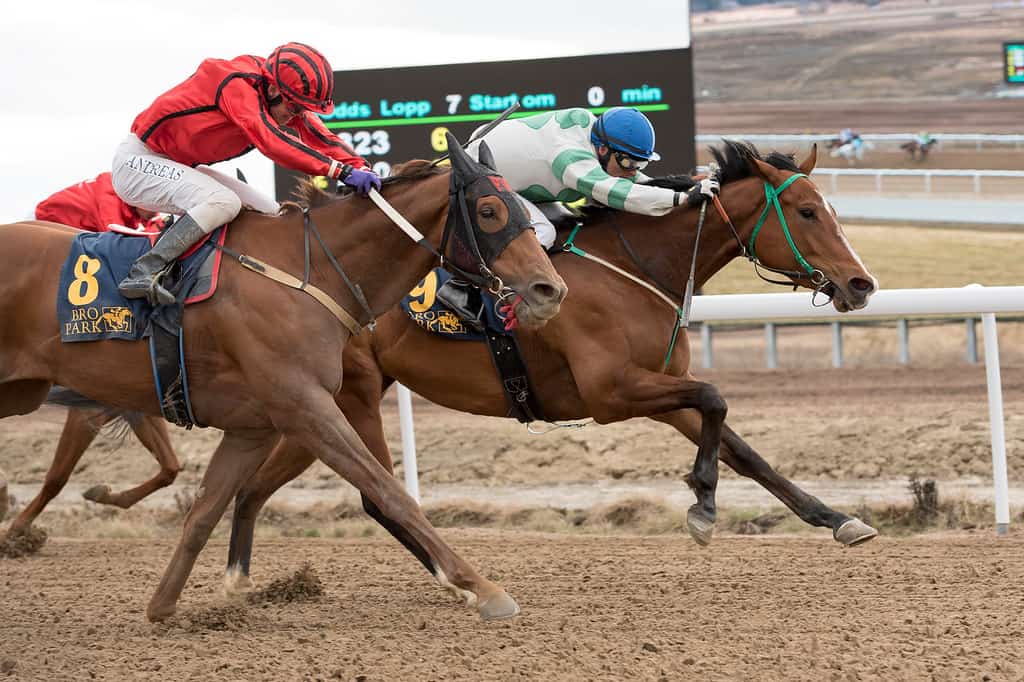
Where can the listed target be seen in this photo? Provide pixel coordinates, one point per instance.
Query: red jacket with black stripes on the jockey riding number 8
(220, 113)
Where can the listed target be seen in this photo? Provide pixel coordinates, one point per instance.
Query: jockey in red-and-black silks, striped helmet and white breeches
(225, 110)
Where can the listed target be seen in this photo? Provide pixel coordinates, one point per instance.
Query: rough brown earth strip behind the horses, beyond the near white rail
(876, 422)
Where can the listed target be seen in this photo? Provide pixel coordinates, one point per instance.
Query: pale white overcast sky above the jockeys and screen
(76, 74)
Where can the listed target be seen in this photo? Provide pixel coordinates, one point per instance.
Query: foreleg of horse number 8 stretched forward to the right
(322, 429)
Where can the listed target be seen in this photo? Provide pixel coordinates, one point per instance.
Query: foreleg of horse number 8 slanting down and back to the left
(236, 459)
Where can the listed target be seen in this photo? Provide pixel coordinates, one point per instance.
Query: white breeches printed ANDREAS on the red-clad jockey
(146, 180)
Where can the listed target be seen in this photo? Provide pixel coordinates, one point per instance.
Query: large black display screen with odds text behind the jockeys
(394, 115)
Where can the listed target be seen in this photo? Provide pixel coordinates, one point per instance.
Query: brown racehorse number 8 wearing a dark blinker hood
(264, 359)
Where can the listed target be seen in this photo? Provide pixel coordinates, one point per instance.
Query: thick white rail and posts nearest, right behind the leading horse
(971, 301)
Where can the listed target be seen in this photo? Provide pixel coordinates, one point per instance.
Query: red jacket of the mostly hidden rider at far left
(91, 205)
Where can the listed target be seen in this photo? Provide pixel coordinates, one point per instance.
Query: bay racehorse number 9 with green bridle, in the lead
(604, 357)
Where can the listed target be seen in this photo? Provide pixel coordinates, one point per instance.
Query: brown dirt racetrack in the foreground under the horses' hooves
(594, 609)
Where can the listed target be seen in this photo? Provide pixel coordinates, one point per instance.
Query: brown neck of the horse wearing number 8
(375, 253)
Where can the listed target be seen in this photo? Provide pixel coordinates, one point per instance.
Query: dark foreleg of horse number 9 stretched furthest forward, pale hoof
(745, 461)
